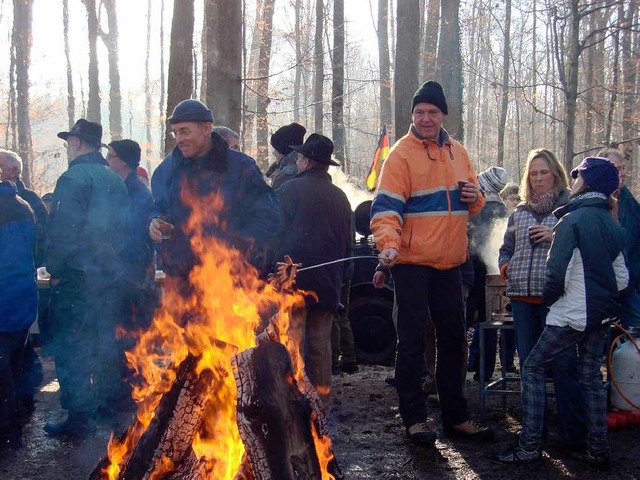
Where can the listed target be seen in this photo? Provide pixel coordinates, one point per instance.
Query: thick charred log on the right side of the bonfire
(276, 420)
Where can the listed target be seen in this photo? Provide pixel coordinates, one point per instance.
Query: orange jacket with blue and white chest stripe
(417, 208)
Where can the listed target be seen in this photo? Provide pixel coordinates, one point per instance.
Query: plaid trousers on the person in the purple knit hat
(553, 342)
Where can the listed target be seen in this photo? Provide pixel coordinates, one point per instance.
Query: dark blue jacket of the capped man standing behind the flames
(249, 215)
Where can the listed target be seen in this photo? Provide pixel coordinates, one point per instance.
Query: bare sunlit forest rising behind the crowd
(518, 74)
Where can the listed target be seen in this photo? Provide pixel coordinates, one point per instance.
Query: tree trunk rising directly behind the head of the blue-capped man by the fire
(180, 79)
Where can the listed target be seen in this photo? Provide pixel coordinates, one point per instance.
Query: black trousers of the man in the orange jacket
(420, 290)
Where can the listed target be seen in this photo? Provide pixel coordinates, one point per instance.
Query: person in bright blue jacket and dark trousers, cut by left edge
(18, 303)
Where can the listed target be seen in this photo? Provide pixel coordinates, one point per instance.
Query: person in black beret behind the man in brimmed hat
(284, 168)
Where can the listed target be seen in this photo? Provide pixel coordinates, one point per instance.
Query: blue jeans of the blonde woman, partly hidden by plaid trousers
(529, 321)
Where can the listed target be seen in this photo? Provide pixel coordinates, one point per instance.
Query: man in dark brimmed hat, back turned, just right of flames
(316, 228)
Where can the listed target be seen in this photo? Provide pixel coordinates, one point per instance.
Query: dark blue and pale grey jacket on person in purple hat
(586, 266)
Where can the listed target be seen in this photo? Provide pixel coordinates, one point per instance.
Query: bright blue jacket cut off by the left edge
(18, 291)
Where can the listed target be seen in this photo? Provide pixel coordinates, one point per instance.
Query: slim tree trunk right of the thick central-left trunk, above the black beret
(262, 123)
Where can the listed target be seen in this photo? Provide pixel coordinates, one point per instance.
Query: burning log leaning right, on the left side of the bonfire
(166, 444)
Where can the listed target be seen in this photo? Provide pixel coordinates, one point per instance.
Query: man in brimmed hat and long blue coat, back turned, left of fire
(85, 236)
